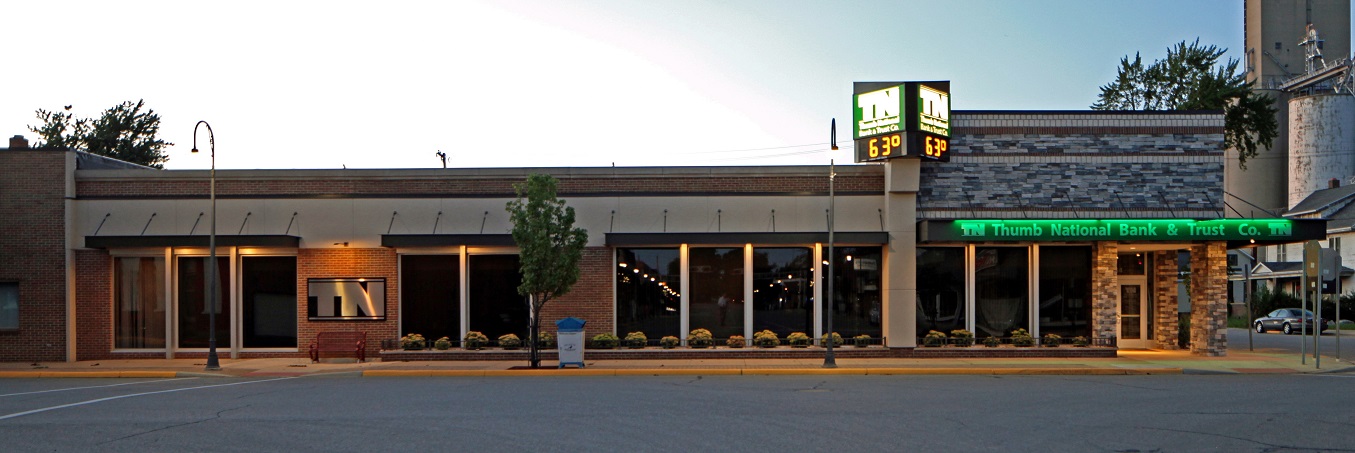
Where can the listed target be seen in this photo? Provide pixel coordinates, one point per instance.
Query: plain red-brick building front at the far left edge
(33, 252)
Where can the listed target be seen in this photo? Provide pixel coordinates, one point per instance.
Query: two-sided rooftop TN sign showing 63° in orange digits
(902, 120)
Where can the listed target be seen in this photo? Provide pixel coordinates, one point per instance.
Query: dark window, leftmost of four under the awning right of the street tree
(647, 292)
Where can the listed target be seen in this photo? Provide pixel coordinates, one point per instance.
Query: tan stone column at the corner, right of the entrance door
(1209, 299)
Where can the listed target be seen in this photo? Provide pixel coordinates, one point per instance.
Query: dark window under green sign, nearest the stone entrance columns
(1066, 275)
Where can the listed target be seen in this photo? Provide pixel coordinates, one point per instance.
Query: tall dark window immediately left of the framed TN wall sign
(269, 294)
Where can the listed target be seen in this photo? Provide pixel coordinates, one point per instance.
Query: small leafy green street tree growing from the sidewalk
(549, 245)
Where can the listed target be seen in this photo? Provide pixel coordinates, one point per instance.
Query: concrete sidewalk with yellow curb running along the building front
(1127, 363)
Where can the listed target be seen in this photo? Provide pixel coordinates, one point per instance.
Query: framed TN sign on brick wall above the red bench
(346, 299)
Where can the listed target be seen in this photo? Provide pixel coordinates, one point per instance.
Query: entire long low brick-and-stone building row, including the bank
(1055, 222)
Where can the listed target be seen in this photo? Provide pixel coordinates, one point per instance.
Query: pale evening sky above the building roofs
(528, 83)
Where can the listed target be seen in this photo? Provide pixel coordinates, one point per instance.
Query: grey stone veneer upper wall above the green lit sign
(1064, 165)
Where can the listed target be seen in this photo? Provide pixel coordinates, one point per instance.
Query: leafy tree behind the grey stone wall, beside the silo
(1193, 79)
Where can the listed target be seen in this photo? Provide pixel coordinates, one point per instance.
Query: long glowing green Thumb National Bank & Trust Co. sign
(1124, 230)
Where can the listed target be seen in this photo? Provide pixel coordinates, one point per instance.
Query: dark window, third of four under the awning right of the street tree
(783, 291)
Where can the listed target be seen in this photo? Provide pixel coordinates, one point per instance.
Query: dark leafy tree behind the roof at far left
(125, 132)
